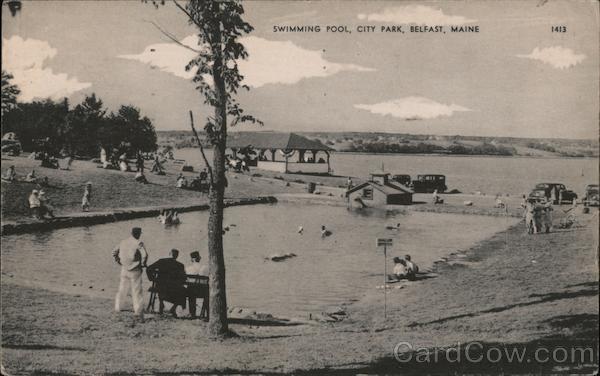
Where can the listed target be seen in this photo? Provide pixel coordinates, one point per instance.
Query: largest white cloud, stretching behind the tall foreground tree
(269, 62)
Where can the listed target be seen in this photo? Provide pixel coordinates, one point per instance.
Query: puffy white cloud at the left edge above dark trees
(25, 58)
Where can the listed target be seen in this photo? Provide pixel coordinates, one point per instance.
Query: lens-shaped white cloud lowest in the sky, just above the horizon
(412, 108)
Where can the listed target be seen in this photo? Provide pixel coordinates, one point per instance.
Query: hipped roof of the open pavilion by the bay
(273, 140)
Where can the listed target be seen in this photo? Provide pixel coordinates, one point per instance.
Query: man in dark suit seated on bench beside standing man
(170, 279)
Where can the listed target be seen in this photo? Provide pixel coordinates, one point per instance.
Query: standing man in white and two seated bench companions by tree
(168, 274)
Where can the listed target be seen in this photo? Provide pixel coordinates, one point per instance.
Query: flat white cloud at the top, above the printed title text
(415, 14)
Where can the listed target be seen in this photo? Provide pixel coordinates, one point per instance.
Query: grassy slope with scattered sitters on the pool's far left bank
(113, 189)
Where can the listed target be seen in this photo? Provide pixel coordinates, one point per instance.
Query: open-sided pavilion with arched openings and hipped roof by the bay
(283, 152)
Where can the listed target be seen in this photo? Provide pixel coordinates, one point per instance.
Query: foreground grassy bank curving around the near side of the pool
(513, 290)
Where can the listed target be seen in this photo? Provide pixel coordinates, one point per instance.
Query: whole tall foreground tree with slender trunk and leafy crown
(217, 78)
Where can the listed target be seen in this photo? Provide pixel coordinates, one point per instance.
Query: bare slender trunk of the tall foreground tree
(218, 294)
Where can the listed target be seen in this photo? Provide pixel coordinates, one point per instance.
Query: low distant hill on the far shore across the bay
(379, 142)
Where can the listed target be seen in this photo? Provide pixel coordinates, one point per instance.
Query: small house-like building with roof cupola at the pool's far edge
(380, 190)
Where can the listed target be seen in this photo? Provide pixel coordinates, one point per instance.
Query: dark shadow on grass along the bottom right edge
(533, 357)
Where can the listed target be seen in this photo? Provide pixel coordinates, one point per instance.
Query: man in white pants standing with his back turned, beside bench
(132, 257)
